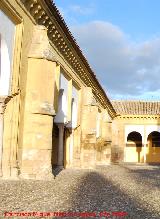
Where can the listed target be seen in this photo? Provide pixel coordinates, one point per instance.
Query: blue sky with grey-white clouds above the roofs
(121, 41)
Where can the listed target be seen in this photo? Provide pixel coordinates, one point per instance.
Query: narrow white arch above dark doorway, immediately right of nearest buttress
(59, 139)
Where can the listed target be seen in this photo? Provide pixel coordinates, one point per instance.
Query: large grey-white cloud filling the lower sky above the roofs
(125, 68)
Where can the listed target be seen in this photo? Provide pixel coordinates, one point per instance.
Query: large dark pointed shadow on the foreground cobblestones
(97, 194)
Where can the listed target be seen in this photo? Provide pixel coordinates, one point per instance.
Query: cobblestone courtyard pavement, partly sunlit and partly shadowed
(112, 188)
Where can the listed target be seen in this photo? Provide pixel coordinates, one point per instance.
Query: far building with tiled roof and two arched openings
(136, 131)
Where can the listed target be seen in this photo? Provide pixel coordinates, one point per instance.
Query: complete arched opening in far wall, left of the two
(134, 147)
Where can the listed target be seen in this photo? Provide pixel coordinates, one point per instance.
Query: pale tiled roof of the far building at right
(124, 107)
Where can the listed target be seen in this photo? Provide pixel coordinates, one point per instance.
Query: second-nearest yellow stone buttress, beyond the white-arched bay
(88, 127)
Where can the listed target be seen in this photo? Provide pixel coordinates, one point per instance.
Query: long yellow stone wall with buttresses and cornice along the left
(43, 51)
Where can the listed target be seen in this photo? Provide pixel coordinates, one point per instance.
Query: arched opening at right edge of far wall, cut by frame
(153, 140)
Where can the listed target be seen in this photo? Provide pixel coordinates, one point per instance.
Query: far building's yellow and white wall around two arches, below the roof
(143, 124)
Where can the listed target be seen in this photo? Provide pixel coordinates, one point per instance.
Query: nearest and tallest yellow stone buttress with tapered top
(39, 109)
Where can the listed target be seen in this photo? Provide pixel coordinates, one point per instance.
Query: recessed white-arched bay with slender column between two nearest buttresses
(65, 123)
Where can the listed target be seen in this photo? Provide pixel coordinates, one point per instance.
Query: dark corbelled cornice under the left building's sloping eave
(45, 13)
